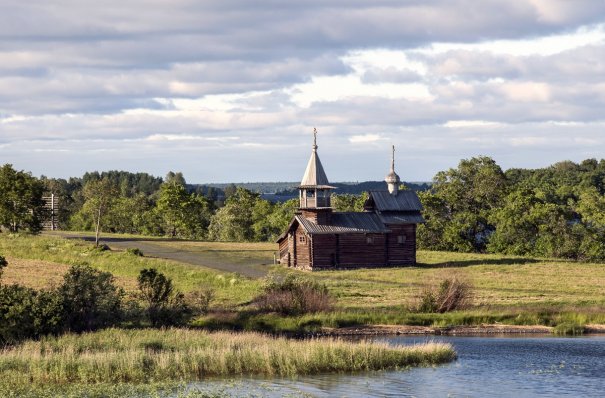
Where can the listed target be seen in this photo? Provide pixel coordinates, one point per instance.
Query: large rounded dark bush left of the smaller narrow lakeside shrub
(90, 299)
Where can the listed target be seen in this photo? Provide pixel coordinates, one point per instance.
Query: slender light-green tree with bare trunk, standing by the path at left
(100, 196)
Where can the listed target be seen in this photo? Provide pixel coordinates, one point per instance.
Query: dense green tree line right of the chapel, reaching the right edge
(557, 211)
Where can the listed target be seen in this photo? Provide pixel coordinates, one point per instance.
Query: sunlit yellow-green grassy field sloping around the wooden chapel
(515, 290)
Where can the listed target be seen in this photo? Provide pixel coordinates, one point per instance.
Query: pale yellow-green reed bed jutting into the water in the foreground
(144, 356)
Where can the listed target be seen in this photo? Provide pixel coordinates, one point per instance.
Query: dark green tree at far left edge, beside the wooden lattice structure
(21, 203)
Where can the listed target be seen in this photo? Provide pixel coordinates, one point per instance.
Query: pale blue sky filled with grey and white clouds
(230, 90)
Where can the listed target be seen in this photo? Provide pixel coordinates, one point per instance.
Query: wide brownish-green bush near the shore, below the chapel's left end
(294, 296)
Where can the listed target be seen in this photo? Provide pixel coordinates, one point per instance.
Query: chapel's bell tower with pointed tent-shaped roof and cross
(314, 190)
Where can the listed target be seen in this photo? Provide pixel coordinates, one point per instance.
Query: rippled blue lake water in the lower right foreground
(517, 366)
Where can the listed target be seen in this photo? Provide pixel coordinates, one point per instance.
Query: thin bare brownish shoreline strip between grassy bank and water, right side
(487, 329)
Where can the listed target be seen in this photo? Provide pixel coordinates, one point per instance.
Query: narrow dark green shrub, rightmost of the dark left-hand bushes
(165, 306)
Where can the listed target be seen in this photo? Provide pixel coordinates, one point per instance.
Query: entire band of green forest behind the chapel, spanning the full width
(557, 211)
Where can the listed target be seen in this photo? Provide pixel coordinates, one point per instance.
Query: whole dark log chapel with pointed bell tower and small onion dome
(384, 234)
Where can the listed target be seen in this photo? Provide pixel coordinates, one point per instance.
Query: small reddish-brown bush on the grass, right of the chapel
(451, 295)
